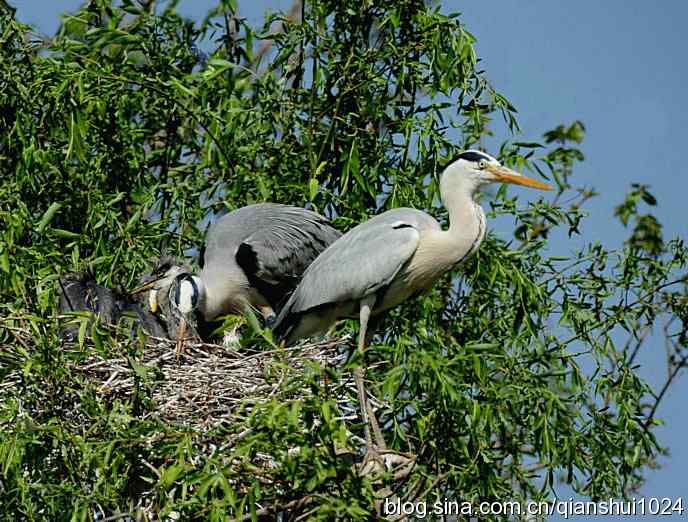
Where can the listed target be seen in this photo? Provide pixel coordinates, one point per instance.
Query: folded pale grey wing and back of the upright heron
(363, 262)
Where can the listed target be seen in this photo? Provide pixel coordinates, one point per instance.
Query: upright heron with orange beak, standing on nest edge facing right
(391, 257)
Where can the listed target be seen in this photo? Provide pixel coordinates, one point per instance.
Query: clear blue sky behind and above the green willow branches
(618, 66)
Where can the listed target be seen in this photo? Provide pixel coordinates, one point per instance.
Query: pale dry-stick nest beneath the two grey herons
(204, 384)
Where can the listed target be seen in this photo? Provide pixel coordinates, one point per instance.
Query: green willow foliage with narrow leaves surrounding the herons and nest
(130, 129)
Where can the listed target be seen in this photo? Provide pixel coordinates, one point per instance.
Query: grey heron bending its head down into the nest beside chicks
(254, 256)
